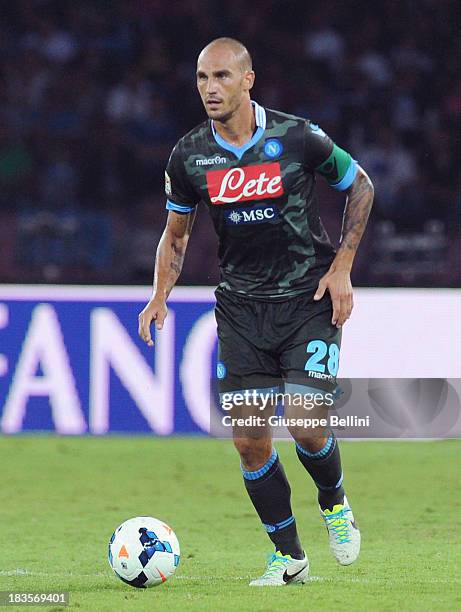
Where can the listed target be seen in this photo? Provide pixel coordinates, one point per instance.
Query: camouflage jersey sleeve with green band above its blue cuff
(323, 156)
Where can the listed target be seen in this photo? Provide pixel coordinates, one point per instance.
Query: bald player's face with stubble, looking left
(222, 83)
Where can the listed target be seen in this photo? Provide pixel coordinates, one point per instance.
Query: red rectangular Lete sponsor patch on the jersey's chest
(248, 183)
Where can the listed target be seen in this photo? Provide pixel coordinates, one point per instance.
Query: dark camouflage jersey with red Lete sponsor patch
(272, 244)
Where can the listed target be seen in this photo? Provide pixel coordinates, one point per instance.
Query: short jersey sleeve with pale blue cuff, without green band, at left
(180, 194)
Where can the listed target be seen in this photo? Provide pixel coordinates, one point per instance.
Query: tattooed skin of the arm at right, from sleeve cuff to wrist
(356, 212)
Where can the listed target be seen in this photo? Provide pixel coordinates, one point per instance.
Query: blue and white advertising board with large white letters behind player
(71, 361)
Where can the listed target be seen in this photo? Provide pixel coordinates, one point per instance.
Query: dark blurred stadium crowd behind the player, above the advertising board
(94, 94)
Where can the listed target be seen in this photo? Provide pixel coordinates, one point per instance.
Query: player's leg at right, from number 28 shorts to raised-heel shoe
(310, 364)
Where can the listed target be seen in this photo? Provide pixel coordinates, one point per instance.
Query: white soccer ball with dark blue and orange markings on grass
(144, 552)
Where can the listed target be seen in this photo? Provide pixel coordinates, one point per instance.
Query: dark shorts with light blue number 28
(270, 345)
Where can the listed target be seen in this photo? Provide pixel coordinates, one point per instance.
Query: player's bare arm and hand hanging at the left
(168, 265)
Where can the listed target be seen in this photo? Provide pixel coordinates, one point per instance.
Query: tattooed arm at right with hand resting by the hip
(337, 280)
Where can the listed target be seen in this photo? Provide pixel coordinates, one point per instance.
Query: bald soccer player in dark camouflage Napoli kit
(284, 293)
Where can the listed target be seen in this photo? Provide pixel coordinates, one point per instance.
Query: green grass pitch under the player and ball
(61, 498)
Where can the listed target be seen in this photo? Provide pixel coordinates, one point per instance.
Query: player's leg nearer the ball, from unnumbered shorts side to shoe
(245, 366)
